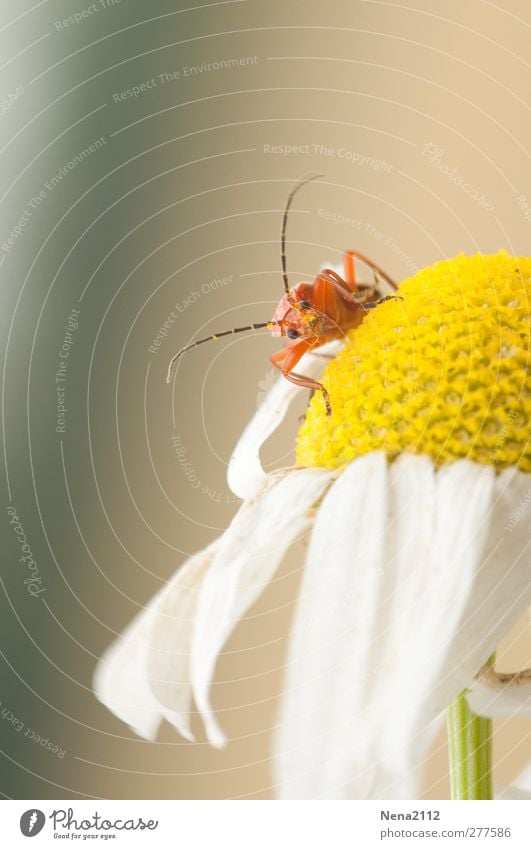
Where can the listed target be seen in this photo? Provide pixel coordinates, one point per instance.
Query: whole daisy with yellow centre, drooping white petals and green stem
(414, 495)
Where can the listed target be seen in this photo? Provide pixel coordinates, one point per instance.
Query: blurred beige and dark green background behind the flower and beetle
(147, 151)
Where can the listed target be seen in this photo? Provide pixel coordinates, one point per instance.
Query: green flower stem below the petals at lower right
(470, 751)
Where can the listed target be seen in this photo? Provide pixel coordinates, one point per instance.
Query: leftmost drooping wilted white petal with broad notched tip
(122, 677)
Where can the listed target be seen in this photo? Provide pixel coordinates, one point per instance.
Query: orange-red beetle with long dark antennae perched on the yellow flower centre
(311, 314)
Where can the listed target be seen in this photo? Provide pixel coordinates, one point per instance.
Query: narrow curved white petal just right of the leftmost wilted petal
(249, 554)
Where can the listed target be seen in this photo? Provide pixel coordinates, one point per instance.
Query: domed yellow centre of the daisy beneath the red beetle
(444, 372)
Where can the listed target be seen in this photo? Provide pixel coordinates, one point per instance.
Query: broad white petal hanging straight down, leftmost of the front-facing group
(332, 623)
